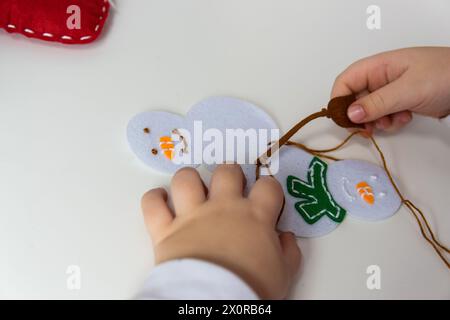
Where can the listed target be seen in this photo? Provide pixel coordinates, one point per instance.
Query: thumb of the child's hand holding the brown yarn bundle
(384, 101)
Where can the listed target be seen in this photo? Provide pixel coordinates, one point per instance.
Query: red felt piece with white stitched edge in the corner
(52, 20)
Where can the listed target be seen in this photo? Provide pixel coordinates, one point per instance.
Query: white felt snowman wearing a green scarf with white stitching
(318, 196)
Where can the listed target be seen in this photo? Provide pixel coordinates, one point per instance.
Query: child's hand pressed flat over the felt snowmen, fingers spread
(224, 227)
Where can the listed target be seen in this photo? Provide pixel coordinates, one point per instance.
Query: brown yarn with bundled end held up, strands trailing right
(337, 111)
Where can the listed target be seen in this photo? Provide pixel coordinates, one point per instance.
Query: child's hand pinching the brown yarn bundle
(393, 84)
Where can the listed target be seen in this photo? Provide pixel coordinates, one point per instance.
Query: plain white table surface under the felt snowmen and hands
(70, 187)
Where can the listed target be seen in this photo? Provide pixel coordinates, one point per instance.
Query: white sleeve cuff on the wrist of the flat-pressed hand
(194, 279)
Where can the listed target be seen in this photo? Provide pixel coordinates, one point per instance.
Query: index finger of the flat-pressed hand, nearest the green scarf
(267, 198)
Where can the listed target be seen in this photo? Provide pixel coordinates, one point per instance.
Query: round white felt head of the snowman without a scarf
(158, 124)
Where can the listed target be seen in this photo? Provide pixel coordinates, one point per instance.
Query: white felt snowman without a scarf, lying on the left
(212, 115)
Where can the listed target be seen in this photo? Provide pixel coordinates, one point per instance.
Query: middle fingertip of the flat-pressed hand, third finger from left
(227, 181)
